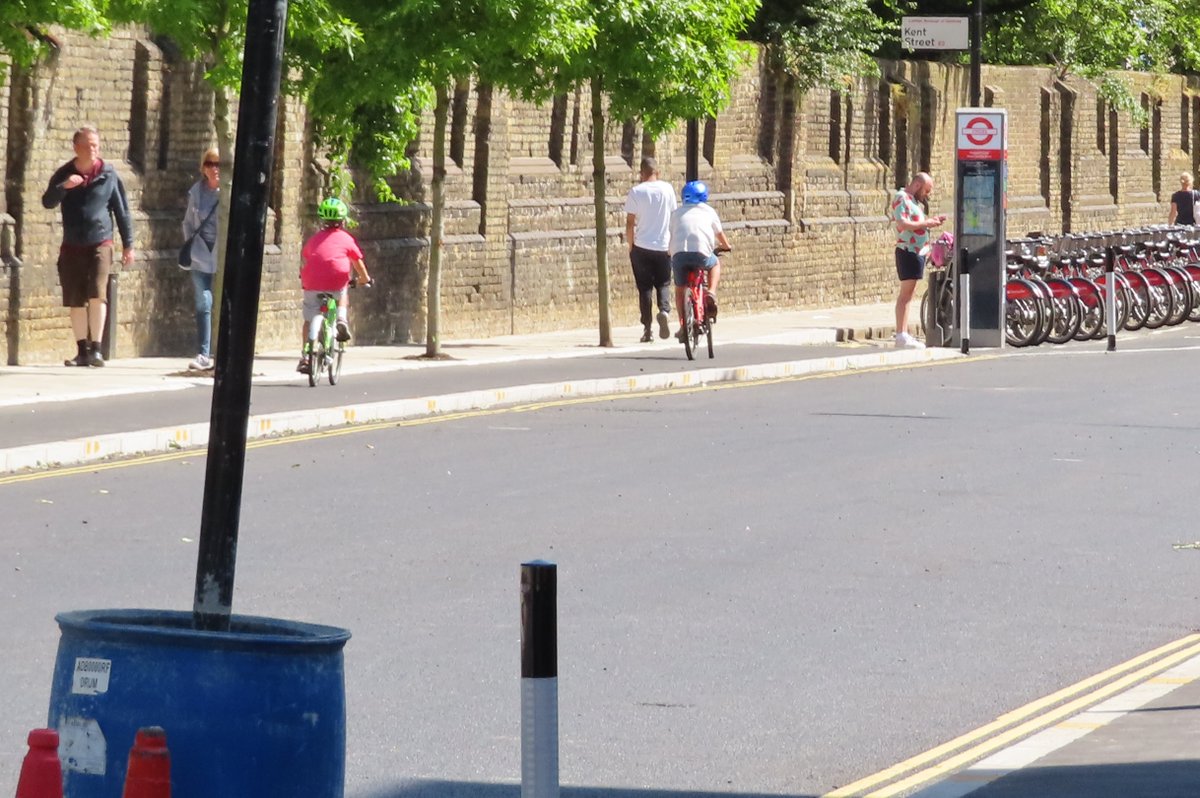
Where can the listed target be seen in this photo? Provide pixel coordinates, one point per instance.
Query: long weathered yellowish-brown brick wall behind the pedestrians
(802, 185)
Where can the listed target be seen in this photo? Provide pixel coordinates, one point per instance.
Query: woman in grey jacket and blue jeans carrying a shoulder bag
(201, 221)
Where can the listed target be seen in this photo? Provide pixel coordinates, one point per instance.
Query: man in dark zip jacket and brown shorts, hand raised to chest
(92, 196)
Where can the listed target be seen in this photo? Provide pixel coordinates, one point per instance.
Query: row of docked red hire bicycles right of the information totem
(1058, 286)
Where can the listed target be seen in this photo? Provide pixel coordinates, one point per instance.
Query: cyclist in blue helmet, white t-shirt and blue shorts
(695, 236)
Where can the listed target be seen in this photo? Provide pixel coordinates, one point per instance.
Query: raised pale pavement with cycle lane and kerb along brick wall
(41, 422)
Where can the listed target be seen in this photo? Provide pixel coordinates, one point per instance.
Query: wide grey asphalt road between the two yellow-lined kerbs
(764, 590)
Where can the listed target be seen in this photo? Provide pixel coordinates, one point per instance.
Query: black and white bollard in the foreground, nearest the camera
(539, 680)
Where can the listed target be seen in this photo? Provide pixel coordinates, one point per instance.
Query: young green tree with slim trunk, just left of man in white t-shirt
(658, 62)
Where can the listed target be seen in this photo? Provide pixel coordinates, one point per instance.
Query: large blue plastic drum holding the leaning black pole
(256, 711)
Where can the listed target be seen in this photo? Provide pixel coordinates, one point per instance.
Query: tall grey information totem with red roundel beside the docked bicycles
(981, 201)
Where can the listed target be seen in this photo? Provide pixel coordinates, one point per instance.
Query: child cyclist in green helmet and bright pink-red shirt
(329, 256)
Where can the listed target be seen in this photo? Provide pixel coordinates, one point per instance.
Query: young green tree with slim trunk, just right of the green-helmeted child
(368, 100)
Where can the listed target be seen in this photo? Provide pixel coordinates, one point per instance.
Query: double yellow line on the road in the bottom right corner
(1021, 723)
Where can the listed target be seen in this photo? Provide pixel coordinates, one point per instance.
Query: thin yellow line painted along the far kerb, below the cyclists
(529, 407)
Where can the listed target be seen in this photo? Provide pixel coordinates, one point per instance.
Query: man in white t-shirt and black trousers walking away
(647, 217)
